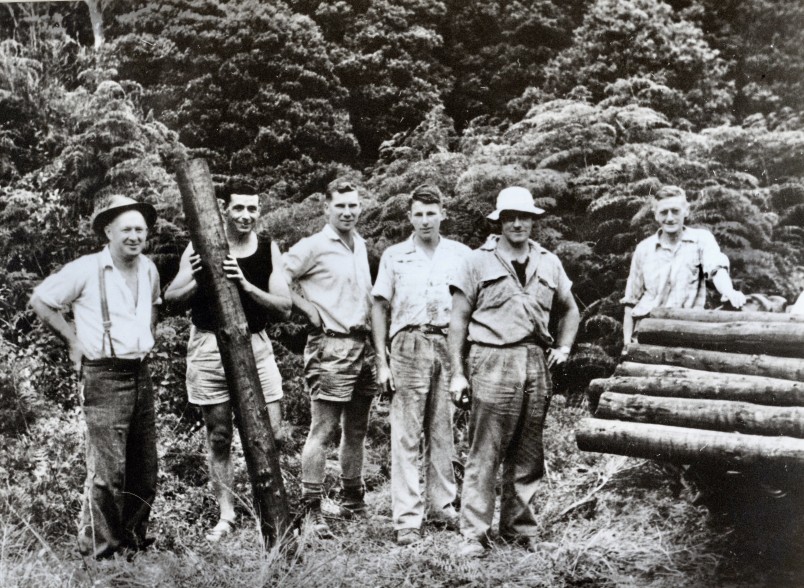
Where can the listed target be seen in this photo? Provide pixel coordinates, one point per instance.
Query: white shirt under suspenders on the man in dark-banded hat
(77, 286)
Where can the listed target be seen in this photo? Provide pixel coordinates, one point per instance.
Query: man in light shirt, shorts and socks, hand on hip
(331, 272)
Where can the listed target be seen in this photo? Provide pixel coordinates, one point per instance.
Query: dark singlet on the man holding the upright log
(256, 268)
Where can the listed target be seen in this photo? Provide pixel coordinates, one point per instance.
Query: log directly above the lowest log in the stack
(716, 415)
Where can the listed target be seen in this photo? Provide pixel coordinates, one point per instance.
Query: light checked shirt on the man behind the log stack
(672, 278)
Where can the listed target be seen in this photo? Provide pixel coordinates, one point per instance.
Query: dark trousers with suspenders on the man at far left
(118, 405)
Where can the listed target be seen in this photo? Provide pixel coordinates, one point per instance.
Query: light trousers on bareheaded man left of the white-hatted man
(421, 404)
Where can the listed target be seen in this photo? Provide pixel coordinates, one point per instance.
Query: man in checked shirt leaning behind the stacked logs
(670, 268)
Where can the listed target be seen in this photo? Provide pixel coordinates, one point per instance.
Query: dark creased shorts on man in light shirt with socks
(336, 368)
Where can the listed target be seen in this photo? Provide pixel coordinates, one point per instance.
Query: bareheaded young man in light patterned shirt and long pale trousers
(413, 288)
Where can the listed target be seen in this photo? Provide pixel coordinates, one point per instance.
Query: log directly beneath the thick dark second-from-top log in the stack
(716, 361)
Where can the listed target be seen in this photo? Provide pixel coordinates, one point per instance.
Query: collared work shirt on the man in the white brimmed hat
(504, 311)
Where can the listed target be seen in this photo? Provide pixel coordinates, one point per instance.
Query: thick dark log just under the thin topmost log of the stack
(782, 339)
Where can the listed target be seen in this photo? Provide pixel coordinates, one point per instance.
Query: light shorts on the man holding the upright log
(206, 382)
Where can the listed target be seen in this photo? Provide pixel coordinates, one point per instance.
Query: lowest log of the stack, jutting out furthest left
(689, 445)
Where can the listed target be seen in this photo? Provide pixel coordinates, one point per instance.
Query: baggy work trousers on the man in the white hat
(510, 395)
